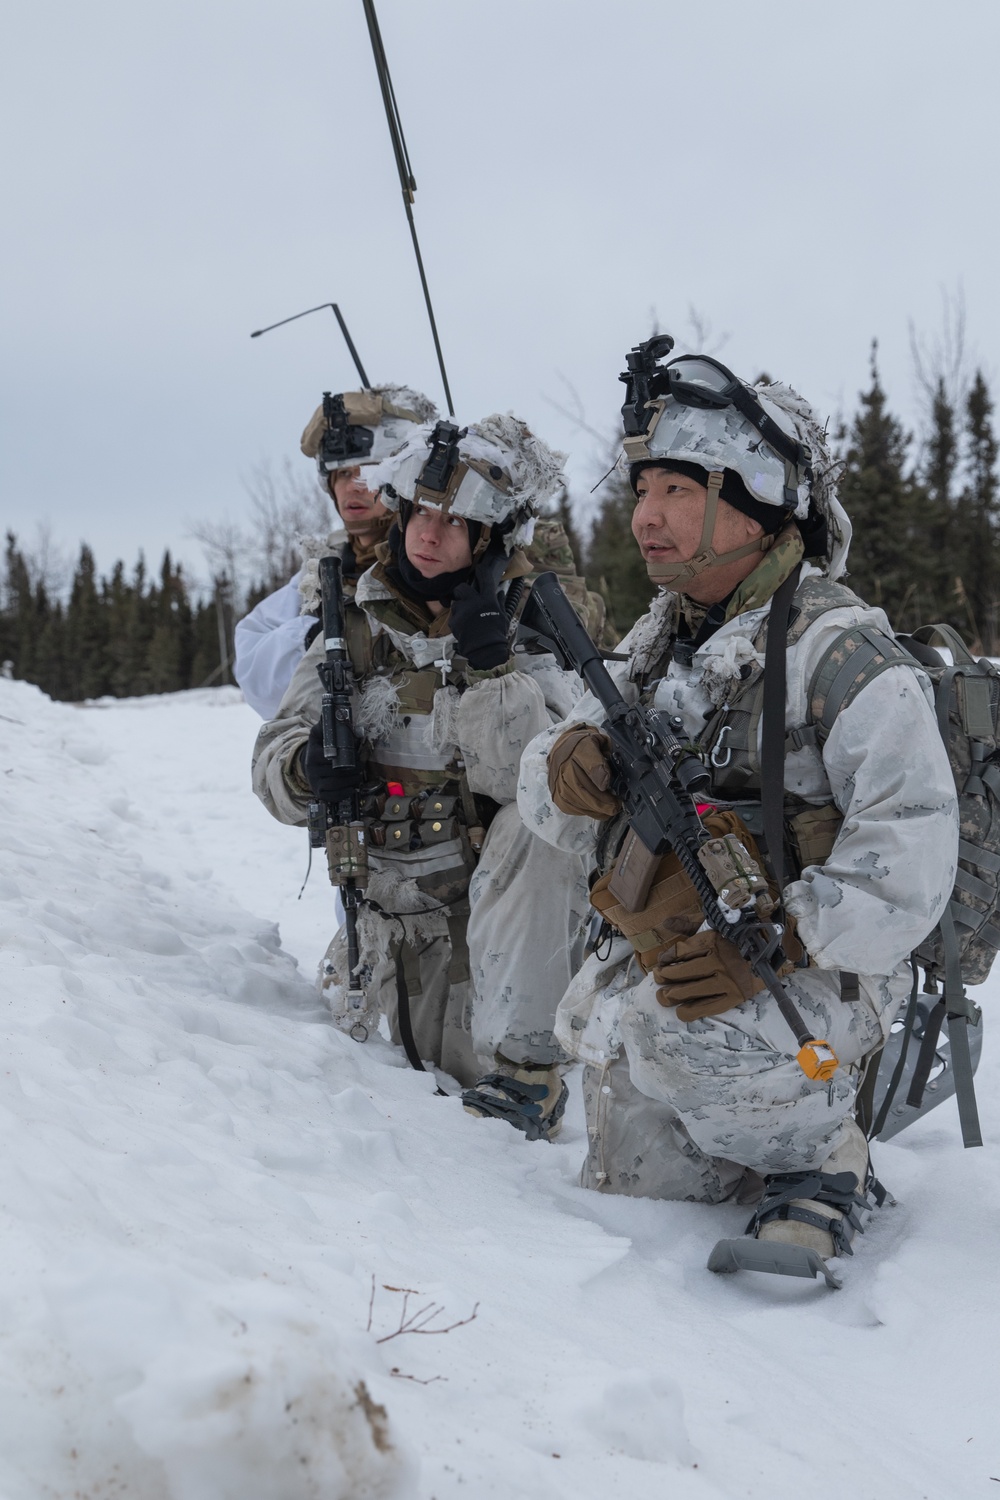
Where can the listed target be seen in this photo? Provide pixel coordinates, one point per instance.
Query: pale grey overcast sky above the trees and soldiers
(176, 173)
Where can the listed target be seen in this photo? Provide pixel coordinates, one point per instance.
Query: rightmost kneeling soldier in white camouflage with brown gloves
(693, 1090)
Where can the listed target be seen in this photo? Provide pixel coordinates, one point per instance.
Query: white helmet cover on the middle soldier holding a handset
(503, 475)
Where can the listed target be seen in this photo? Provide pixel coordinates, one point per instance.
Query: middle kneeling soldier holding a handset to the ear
(470, 923)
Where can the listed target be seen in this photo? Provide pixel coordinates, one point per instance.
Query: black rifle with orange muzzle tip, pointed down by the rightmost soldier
(659, 776)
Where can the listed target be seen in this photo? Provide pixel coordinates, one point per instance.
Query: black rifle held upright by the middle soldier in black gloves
(338, 824)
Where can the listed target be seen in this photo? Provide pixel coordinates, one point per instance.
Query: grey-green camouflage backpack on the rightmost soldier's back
(965, 944)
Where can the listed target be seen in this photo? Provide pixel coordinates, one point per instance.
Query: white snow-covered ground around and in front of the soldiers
(212, 1205)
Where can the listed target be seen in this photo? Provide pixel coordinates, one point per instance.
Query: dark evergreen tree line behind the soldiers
(926, 517)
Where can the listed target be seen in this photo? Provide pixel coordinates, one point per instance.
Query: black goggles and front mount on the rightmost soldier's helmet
(696, 380)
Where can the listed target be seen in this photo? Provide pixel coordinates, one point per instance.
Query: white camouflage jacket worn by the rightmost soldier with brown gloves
(891, 872)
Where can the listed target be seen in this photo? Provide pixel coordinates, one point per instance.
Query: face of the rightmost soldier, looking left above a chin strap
(669, 518)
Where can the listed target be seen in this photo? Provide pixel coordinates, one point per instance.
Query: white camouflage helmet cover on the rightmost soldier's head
(726, 440)
